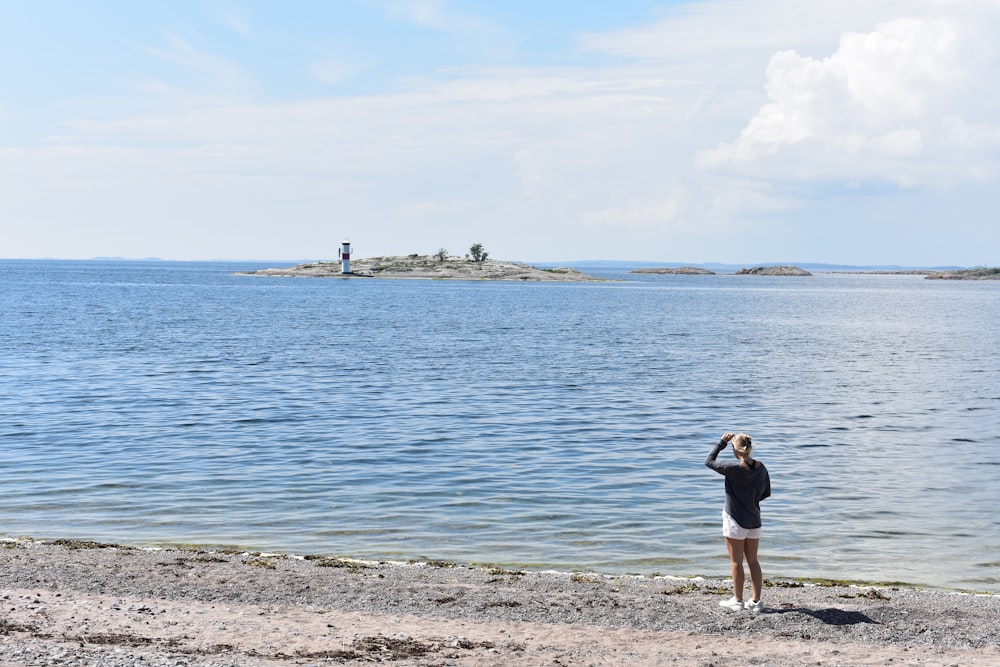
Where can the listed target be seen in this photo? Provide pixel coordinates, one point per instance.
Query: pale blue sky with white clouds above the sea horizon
(862, 132)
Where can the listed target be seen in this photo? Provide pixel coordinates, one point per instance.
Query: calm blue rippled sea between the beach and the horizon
(531, 425)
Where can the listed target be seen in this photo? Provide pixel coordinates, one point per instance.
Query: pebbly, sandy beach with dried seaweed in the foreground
(81, 603)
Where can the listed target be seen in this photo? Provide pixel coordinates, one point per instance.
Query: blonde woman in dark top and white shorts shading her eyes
(747, 483)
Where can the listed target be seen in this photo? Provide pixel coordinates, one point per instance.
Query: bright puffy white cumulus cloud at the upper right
(885, 106)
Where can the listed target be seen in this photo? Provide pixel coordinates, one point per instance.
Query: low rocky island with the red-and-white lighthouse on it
(432, 267)
